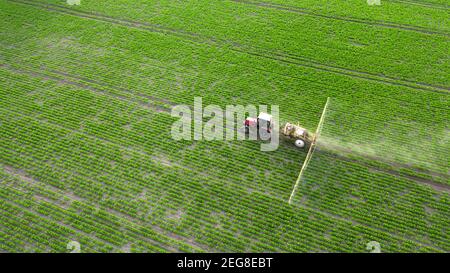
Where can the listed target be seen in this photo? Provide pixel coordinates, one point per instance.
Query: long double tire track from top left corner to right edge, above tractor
(284, 58)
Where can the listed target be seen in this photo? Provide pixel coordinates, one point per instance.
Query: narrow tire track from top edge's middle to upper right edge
(303, 11)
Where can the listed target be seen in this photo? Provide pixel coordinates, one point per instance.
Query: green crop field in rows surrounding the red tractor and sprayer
(86, 153)
